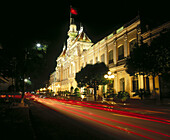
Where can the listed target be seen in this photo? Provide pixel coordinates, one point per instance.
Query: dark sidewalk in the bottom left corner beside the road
(15, 121)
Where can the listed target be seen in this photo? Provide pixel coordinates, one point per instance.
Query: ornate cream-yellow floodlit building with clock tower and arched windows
(112, 50)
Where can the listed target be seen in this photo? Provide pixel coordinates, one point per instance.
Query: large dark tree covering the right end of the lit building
(151, 60)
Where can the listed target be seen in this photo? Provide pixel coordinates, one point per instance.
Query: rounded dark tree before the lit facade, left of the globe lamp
(92, 76)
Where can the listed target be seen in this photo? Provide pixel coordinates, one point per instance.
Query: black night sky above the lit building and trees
(26, 22)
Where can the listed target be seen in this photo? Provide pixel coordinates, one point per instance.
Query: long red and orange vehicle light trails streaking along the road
(56, 105)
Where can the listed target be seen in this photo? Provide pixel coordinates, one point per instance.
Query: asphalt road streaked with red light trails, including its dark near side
(55, 119)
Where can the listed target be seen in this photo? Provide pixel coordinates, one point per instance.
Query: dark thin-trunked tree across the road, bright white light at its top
(32, 62)
